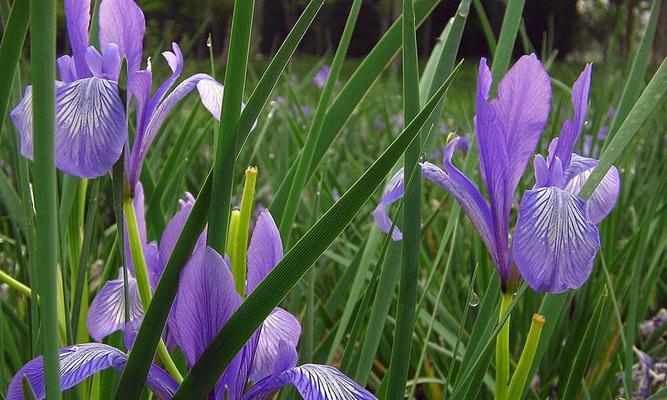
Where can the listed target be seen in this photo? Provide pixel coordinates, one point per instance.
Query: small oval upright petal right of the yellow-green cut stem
(265, 250)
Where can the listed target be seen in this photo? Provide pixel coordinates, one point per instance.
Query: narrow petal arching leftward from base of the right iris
(464, 191)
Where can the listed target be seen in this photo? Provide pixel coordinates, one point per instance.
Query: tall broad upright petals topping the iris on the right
(508, 129)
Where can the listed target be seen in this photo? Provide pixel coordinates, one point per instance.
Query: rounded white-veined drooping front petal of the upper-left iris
(90, 127)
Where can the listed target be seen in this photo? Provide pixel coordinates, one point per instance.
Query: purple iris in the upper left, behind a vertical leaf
(91, 126)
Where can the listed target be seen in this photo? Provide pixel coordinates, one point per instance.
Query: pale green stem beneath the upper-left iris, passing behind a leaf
(141, 273)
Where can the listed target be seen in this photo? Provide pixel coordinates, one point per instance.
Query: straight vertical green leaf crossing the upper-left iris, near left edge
(43, 61)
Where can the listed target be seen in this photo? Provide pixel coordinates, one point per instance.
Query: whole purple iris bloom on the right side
(545, 248)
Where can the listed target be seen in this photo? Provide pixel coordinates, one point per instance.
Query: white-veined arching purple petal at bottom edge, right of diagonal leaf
(313, 382)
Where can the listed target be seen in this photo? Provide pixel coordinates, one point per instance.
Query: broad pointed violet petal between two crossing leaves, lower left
(206, 299)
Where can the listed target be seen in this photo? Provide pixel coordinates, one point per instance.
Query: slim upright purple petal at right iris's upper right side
(572, 128)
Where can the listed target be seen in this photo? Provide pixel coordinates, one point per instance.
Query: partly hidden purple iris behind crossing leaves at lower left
(205, 301)
